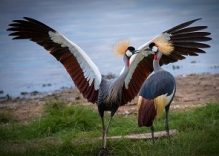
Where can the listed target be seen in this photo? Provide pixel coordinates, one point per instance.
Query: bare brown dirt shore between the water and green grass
(192, 91)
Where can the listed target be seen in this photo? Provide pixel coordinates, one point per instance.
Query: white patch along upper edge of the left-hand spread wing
(90, 70)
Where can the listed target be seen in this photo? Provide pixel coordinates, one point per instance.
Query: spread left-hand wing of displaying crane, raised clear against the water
(80, 67)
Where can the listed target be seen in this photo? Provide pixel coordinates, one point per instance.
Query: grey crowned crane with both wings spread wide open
(109, 95)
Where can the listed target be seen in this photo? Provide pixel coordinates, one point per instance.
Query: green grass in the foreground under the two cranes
(73, 130)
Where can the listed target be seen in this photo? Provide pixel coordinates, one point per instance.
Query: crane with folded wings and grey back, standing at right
(156, 93)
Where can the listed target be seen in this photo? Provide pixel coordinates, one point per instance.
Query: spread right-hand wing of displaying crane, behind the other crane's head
(175, 43)
